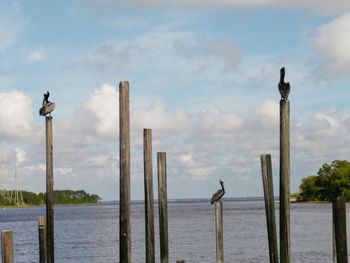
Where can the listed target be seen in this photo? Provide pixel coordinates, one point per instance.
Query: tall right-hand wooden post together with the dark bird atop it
(284, 89)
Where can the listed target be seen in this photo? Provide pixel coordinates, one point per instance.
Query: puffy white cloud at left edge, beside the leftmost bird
(16, 115)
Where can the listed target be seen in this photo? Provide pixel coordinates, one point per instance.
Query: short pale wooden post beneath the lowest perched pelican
(219, 233)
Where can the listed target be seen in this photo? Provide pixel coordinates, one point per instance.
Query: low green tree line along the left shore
(61, 197)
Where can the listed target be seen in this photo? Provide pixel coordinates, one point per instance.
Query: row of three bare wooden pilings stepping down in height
(124, 214)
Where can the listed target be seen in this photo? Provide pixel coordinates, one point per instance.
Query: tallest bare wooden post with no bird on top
(124, 171)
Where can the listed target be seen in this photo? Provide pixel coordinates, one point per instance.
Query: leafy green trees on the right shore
(332, 180)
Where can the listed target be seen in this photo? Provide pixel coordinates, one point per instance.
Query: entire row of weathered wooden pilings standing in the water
(46, 225)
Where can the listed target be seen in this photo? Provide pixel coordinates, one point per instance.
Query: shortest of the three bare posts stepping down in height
(163, 207)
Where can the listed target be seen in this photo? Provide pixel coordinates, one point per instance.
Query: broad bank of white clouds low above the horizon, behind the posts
(201, 146)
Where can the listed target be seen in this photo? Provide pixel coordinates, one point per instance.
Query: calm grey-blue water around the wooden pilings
(89, 233)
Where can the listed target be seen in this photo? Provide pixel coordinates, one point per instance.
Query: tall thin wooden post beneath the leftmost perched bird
(49, 192)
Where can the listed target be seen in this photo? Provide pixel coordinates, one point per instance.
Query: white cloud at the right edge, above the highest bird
(333, 39)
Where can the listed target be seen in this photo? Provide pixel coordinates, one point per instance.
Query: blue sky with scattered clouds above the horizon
(203, 76)
